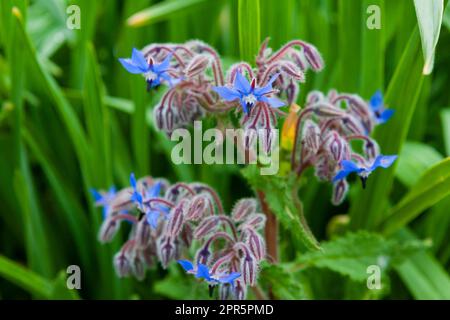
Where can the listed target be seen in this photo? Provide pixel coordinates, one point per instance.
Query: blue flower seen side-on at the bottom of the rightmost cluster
(363, 172)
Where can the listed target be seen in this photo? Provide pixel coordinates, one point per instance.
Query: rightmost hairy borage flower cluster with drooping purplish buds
(325, 131)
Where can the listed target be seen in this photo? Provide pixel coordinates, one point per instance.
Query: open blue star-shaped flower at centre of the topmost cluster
(248, 93)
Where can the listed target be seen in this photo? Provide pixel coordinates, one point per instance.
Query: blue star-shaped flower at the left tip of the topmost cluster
(154, 73)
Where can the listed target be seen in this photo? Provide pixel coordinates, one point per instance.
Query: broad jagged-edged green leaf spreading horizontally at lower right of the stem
(353, 253)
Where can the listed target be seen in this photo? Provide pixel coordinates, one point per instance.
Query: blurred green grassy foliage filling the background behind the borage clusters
(71, 118)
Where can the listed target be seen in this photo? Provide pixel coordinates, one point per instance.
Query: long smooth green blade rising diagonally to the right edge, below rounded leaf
(432, 187)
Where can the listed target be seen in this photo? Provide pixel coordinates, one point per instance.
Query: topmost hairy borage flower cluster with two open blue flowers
(193, 71)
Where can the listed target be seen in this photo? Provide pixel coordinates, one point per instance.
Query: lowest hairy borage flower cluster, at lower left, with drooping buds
(169, 219)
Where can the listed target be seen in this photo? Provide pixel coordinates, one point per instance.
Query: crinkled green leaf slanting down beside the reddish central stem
(278, 194)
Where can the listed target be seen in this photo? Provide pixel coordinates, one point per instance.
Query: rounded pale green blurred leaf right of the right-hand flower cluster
(414, 160)
